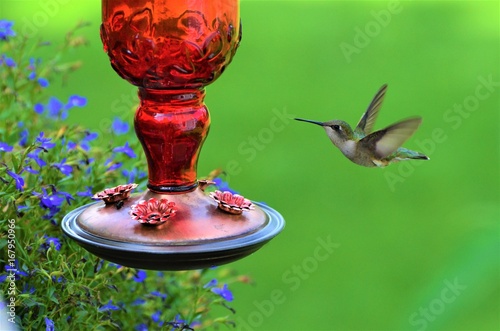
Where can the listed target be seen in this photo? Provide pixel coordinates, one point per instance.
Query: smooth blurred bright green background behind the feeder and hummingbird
(414, 246)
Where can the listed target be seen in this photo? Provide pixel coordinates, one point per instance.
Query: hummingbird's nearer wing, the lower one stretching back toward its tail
(386, 141)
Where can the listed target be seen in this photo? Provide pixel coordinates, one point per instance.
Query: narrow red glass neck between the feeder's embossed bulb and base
(172, 126)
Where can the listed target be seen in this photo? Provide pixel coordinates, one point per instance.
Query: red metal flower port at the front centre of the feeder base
(153, 211)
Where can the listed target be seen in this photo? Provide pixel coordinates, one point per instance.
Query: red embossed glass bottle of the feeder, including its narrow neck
(171, 49)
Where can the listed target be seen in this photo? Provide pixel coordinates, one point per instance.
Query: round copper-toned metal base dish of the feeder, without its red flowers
(199, 236)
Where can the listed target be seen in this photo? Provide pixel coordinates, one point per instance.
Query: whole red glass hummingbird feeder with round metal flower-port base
(171, 50)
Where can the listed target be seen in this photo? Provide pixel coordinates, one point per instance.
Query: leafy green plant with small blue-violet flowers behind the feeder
(47, 168)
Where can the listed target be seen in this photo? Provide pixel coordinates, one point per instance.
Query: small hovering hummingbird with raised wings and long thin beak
(372, 149)
